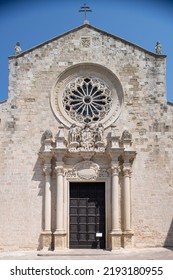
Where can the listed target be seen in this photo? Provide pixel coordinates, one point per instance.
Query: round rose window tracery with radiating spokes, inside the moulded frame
(87, 99)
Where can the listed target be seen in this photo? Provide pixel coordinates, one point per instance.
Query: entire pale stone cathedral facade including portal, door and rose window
(86, 145)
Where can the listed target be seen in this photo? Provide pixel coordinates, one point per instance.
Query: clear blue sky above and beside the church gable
(142, 22)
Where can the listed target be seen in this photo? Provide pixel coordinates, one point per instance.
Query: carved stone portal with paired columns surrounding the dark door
(62, 156)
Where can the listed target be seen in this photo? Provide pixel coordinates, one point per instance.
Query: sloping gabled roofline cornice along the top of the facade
(91, 27)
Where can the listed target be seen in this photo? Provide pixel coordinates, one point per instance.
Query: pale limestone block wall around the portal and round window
(27, 114)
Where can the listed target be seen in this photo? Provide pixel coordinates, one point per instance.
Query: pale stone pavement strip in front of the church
(87, 254)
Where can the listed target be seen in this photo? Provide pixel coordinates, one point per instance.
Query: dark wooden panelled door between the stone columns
(87, 215)
